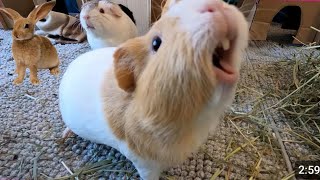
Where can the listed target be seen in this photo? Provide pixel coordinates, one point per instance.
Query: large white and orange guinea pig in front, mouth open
(155, 98)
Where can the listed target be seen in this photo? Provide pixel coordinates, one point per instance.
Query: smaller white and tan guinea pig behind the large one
(107, 24)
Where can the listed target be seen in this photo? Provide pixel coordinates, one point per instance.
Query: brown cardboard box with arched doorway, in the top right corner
(266, 10)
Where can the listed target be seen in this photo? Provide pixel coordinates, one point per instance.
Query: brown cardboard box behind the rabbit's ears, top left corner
(23, 7)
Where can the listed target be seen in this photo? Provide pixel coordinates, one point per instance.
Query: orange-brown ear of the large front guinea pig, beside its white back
(123, 69)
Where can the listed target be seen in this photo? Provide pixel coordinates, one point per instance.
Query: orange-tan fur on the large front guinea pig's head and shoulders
(168, 90)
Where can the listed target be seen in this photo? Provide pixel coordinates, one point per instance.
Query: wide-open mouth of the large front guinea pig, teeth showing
(223, 64)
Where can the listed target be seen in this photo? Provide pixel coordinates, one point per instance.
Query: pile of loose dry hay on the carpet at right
(296, 98)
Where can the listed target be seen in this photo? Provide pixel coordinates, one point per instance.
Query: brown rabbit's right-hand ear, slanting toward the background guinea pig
(41, 11)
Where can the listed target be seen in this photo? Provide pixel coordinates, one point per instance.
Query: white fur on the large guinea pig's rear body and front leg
(81, 106)
